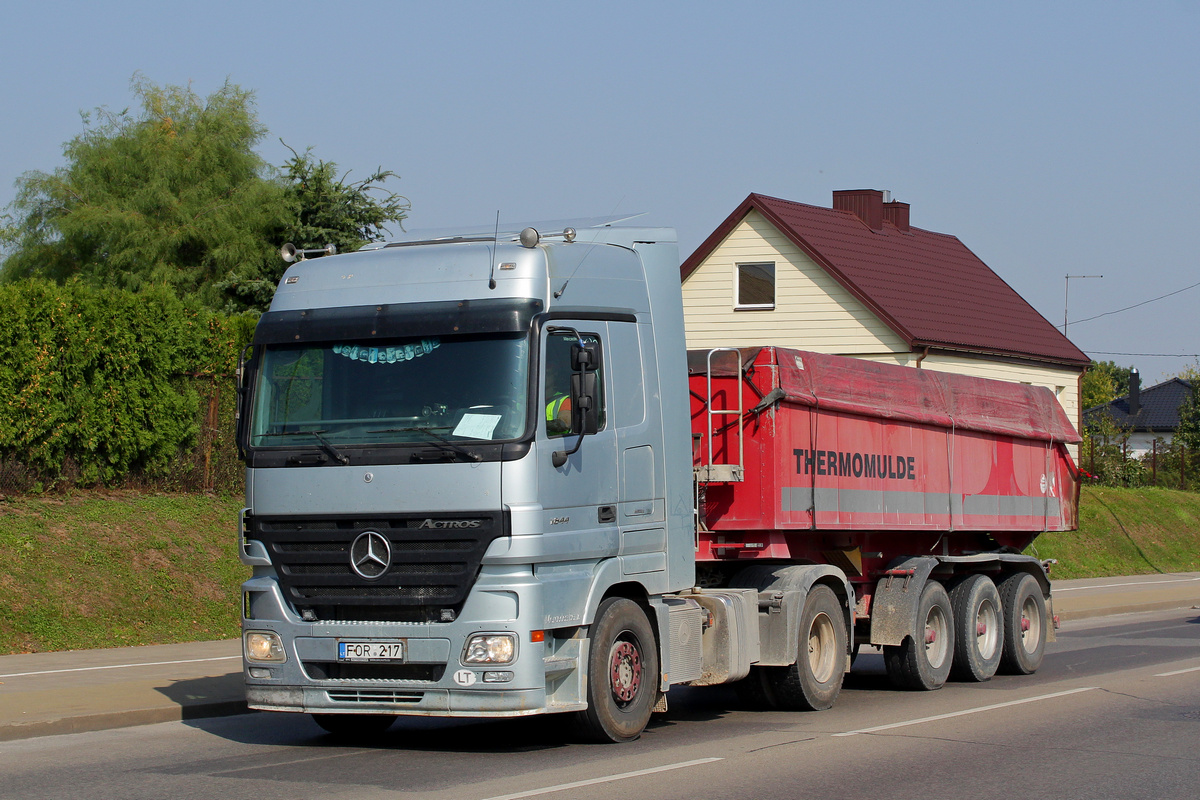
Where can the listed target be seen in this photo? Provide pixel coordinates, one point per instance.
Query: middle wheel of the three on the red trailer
(979, 629)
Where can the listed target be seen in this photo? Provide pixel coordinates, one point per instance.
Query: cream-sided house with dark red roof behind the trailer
(859, 280)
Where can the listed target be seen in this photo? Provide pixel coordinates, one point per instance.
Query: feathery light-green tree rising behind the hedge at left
(173, 195)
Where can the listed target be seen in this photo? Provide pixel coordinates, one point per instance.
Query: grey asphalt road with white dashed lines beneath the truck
(1114, 713)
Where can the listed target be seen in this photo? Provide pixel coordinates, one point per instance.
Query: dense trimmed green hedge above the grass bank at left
(104, 381)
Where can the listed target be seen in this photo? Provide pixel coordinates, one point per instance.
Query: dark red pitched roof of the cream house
(928, 287)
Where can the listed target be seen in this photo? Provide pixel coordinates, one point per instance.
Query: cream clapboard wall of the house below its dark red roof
(814, 312)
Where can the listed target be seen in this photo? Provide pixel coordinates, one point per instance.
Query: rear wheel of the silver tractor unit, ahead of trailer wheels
(814, 682)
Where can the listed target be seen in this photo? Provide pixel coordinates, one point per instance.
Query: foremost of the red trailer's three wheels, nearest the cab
(923, 660)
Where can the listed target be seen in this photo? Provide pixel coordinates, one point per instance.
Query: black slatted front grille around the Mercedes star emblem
(435, 560)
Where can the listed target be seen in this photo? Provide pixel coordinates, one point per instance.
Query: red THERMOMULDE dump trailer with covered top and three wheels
(923, 488)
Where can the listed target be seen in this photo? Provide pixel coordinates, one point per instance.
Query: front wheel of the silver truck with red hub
(623, 673)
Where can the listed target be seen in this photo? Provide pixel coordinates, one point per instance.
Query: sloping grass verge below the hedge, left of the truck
(113, 569)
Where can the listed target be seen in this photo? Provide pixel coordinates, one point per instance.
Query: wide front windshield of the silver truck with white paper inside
(394, 392)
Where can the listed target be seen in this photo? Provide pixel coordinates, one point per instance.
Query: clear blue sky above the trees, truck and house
(1052, 139)
